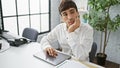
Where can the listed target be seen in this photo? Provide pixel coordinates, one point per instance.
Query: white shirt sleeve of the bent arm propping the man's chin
(81, 48)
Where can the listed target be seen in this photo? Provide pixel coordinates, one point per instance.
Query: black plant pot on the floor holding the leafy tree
(101, 59)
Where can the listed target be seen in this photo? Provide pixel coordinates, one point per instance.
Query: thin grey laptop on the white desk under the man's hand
(61, 57)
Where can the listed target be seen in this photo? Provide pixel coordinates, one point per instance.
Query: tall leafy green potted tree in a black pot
(99, 18)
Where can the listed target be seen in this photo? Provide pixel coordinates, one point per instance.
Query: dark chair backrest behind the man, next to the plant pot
(93, 52)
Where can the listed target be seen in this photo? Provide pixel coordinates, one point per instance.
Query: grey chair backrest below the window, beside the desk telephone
(30, 33)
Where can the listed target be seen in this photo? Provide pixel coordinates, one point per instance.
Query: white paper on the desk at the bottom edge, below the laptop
(71, 64)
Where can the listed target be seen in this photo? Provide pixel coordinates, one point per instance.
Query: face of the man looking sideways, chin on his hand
(69, 16)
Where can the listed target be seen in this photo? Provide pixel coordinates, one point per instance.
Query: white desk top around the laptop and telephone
(22, 57)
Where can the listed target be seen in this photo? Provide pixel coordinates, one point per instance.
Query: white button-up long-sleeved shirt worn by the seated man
(77, 43)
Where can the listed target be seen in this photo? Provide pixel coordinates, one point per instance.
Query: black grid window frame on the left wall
(29, 15)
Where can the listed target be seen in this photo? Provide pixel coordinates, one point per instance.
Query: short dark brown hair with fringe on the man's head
(64, 5)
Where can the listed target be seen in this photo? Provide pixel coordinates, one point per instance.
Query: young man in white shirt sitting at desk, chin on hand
(74, 37)
